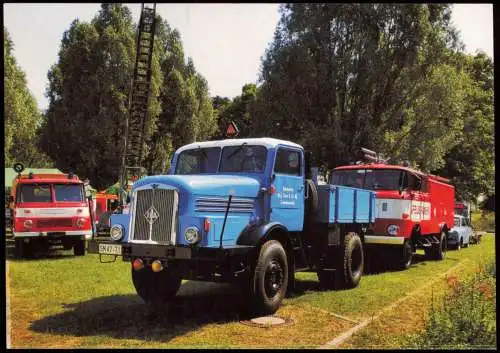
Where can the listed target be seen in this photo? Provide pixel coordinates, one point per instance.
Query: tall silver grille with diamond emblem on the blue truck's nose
(155, 216)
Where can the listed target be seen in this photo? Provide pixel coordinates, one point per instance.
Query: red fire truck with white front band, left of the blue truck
(49, 209)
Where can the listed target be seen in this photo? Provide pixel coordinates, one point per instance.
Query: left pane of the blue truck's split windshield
(198, 161)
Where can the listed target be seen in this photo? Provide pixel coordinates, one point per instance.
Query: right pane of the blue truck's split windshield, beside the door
(243, 158)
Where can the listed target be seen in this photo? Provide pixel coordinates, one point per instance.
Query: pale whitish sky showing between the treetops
(225, 41)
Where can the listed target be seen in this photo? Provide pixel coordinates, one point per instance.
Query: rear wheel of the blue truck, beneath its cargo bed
(352, 261)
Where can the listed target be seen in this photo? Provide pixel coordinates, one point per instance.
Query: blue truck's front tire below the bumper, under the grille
(156, 288)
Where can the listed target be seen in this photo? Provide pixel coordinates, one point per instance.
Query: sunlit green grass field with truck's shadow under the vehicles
(73, 302)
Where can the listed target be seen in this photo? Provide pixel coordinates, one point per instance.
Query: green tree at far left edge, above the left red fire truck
(21, 115)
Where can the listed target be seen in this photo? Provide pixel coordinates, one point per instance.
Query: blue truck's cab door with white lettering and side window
(287, 202)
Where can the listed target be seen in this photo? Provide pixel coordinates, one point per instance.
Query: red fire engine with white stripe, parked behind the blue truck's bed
(414, 210)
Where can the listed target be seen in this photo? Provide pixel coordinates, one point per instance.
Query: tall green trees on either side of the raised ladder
(89, 89)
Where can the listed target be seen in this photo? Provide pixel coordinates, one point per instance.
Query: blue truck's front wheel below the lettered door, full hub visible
(270, 278)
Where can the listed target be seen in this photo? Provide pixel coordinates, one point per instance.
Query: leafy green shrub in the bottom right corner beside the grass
(467, 316)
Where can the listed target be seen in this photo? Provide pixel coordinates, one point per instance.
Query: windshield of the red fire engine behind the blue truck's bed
(372, 179)
